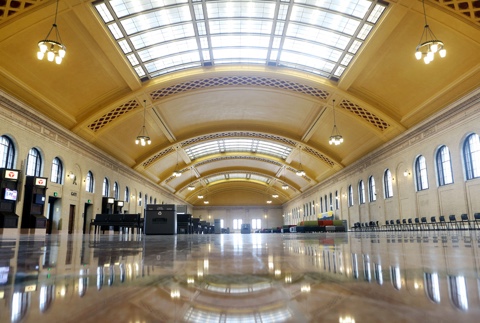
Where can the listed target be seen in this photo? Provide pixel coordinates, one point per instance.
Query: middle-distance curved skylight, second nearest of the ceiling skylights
(238, 145)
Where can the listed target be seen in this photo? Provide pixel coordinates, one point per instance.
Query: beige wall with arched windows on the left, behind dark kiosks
(27, 129)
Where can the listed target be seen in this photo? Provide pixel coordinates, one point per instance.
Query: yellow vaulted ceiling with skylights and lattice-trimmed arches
(237, 96)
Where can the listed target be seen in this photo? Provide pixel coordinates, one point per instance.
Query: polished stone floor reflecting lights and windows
(270, 277)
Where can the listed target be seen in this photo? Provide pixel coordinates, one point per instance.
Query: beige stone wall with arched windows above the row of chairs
(450, 127)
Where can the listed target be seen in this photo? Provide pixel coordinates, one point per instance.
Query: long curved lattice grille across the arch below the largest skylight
(239, 81)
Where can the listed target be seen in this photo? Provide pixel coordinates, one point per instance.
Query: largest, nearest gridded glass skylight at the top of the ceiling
(159, 37)
